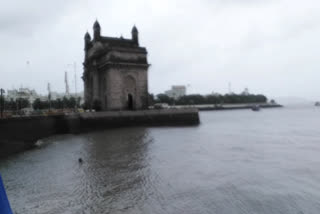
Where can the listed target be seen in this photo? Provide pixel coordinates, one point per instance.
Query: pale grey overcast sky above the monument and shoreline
(270, 46)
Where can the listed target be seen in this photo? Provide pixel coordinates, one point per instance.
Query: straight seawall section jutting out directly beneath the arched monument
(163, 117)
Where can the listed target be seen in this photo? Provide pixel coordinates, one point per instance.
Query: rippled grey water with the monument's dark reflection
(234, 162)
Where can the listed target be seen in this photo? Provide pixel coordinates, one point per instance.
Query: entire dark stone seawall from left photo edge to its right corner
(17, 134)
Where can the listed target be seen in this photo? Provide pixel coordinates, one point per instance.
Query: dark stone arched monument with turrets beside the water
(115, 72)
